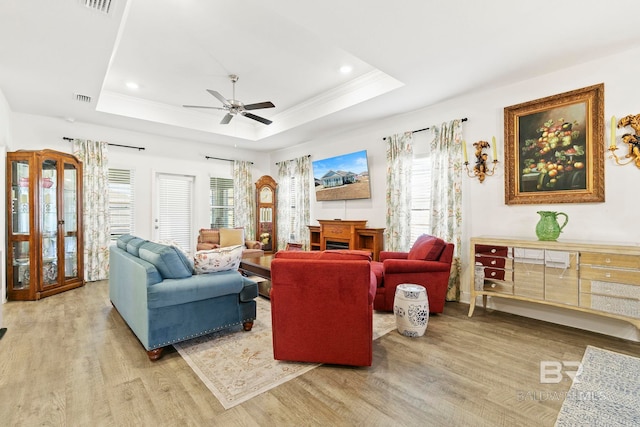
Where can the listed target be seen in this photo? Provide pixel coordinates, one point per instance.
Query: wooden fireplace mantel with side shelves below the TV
(346, 234)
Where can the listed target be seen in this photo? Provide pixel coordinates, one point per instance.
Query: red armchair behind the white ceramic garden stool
(428, 263)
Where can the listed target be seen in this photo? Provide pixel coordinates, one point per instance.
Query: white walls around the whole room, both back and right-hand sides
(484, 210)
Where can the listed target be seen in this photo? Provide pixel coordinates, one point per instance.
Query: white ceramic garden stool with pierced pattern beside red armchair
(411, 308)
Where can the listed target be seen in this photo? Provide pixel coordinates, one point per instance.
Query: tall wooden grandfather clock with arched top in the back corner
(266, 218)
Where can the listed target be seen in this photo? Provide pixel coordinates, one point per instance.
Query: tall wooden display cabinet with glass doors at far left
(44, 224)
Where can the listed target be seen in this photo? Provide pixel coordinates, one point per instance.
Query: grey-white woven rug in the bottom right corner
(605, 391)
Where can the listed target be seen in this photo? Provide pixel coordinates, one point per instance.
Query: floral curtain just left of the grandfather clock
(244, 201)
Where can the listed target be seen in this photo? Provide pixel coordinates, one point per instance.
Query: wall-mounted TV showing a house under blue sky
(342, 177)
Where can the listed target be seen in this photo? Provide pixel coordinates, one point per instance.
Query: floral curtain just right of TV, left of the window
(399, 161)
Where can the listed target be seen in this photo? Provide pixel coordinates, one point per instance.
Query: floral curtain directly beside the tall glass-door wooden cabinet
(95, 205)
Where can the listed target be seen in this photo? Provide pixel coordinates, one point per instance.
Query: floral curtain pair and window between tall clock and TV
(293, 201)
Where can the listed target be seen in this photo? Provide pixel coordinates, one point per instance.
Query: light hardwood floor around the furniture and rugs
(69, 360)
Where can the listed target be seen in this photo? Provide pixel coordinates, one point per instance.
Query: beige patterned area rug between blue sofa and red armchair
(237, 365)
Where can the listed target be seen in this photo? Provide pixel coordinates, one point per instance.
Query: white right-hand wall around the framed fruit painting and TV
(484, 210)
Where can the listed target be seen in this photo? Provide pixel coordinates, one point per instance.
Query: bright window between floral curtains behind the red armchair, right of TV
(420, 196)
